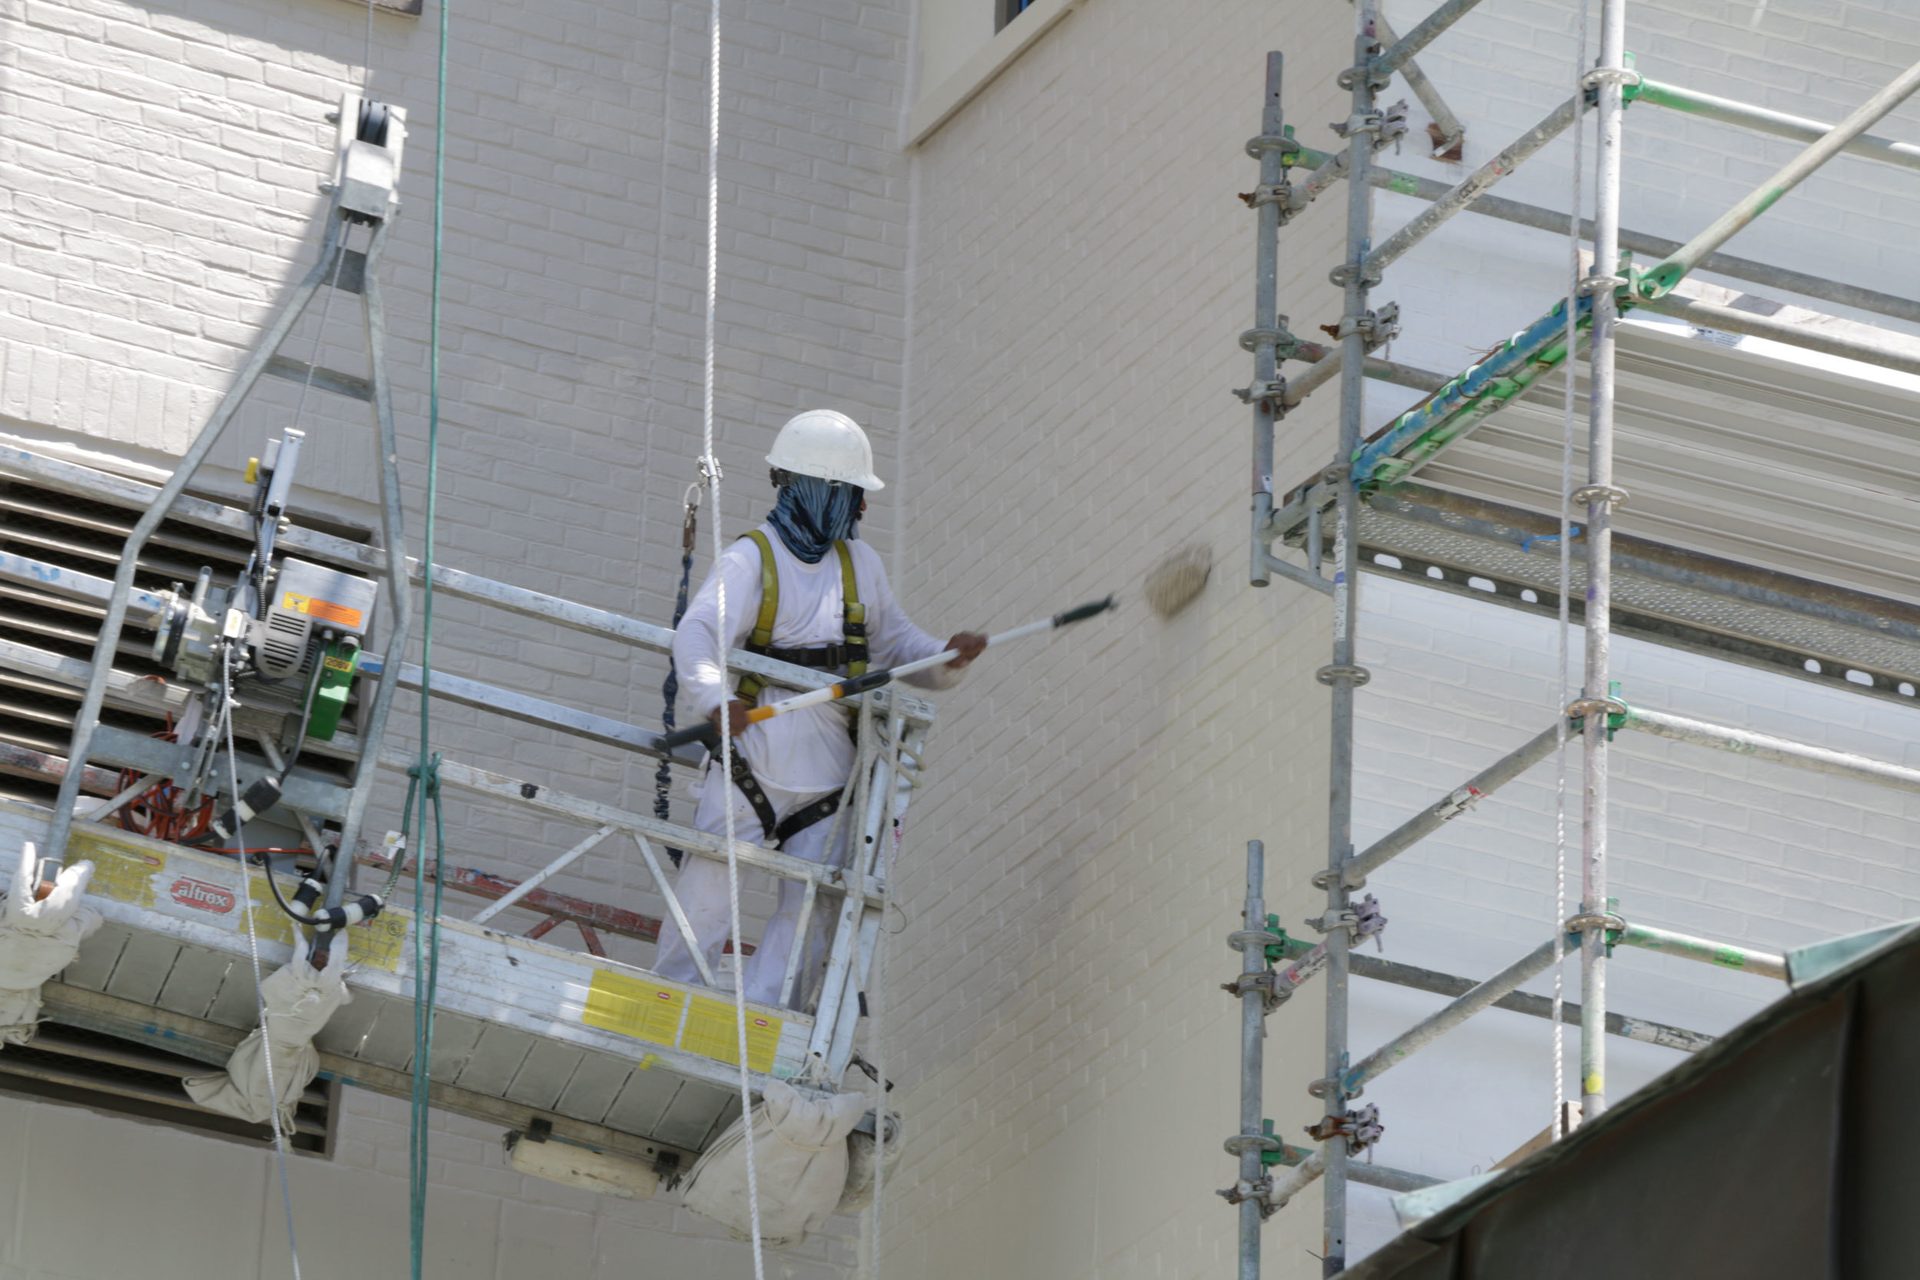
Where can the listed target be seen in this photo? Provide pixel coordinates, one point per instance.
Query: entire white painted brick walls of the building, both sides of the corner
(1082, 272)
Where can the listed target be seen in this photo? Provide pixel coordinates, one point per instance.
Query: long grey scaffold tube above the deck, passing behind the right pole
(1328, 170)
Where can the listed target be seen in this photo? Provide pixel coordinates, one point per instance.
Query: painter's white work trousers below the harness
(704, 897)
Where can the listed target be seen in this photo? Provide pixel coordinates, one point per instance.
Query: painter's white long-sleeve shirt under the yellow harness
(804, 751)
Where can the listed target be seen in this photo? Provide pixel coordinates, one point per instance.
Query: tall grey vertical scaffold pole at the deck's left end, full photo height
(1343, 675)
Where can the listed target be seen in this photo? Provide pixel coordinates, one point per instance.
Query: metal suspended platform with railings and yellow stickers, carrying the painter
(608, 1053)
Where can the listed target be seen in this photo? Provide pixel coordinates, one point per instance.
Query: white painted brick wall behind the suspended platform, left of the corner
(158, 179)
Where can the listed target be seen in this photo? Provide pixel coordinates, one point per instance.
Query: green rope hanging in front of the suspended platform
(425, 786)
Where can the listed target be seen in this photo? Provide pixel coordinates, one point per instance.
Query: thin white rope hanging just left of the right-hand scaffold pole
(1564, 696)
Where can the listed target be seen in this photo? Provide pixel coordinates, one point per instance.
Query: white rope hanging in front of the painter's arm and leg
(727, 738)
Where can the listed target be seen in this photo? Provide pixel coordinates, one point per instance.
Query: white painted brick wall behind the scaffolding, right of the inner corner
(1080, 283)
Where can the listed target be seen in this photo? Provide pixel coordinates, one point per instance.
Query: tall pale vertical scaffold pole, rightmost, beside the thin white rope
(1600, 498)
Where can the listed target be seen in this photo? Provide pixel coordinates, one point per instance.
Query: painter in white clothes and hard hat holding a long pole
(800, 588)
